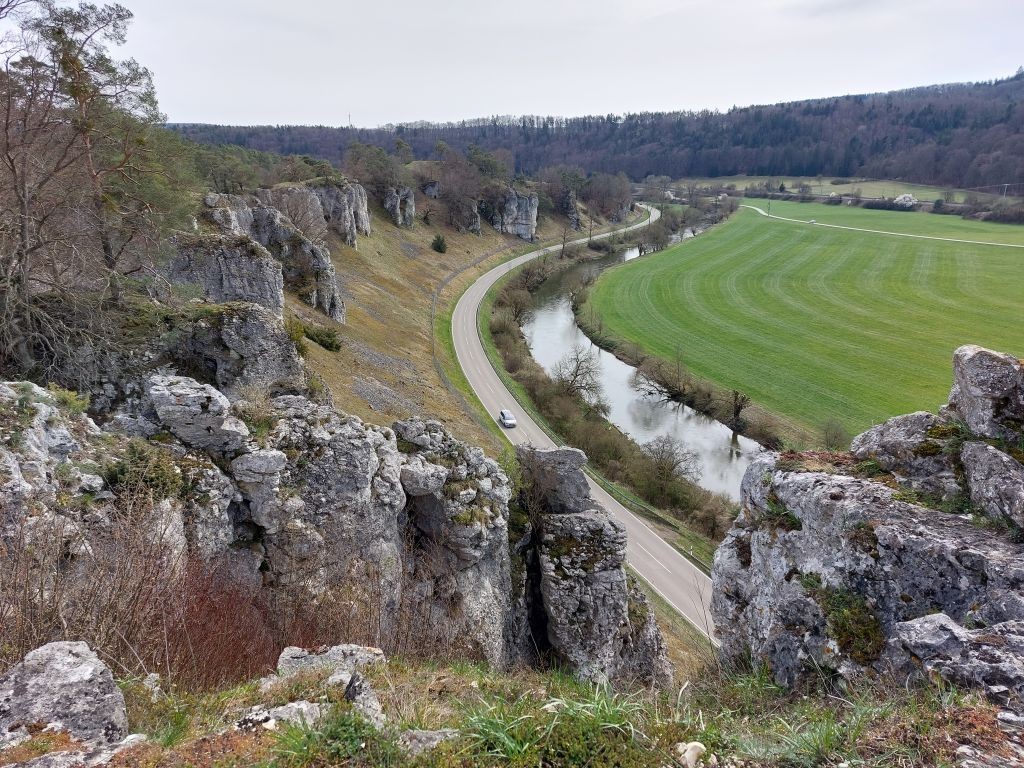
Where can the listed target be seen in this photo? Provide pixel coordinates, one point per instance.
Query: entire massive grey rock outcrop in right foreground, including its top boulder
(902, 556)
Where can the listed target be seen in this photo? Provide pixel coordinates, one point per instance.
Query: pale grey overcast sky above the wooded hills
(310, 62)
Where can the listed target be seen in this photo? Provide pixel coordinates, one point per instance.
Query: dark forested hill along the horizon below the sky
(966, 135)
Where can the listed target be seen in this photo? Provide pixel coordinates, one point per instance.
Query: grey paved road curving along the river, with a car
(680, 583)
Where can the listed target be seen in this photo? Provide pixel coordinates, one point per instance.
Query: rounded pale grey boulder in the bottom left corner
(63, 687)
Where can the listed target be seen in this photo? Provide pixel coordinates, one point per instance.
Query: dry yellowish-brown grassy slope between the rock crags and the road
(390, 282)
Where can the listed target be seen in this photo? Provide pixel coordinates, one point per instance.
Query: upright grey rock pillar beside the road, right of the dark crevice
(596, 622)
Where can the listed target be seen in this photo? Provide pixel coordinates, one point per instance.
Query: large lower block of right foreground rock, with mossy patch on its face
(819, 570)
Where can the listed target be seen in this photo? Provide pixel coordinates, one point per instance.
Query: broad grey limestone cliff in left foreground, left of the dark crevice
(413, 533)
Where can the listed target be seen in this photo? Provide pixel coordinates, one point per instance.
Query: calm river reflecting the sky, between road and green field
(551, 331)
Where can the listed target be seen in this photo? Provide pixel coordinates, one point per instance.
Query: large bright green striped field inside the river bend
(817, 323)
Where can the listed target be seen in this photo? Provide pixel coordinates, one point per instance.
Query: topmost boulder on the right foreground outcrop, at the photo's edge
(989, 392)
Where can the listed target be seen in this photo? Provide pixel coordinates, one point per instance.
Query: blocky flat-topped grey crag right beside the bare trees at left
(229, 268)
